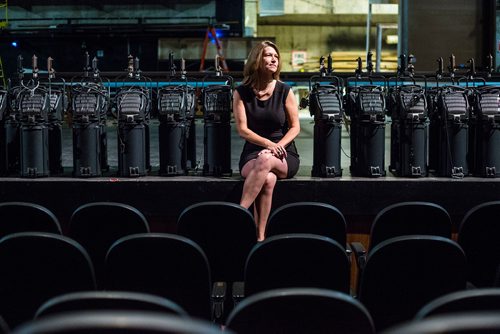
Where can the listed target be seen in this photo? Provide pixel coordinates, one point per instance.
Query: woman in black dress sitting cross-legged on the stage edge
(266, 115)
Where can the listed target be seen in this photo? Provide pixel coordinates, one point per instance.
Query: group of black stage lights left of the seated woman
(32, 111)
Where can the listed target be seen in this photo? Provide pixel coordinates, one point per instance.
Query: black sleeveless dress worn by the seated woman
(267, 119)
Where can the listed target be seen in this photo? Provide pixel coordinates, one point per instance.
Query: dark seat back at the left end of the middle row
(37, 266)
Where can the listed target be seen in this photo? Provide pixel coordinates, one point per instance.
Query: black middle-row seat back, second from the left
(166, 265)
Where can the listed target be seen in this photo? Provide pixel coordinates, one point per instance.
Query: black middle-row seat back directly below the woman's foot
(297, 260)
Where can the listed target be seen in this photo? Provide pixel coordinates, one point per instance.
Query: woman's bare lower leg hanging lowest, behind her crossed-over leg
(263, 204)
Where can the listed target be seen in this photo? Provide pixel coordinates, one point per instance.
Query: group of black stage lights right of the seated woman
(450, 127)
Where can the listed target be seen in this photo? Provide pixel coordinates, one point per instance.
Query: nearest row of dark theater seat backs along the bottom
(291, 310)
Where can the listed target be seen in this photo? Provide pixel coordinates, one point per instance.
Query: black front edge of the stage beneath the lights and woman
(162, 199)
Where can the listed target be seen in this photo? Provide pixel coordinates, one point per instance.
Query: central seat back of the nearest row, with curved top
(300, 310)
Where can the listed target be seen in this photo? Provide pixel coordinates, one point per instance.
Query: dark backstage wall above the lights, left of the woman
(110, 30)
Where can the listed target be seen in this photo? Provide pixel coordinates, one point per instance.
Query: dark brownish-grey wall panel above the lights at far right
(464, 28)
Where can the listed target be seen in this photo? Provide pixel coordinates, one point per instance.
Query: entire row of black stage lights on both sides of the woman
(446, 128)
